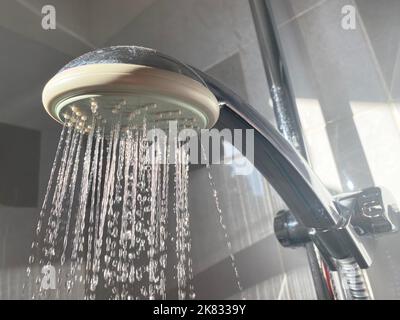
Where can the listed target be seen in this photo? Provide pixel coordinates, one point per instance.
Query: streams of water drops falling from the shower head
(104, 221)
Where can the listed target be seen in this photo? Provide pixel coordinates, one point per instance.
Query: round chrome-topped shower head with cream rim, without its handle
(137, 83)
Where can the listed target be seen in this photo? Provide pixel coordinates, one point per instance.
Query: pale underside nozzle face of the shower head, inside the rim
(130, 110)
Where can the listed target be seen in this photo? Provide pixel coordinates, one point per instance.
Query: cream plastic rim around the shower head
(129, 80)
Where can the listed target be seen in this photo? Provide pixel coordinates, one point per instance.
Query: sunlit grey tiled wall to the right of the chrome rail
(346, 84)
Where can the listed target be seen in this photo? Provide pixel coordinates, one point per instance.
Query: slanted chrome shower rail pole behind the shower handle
(286, 115)
